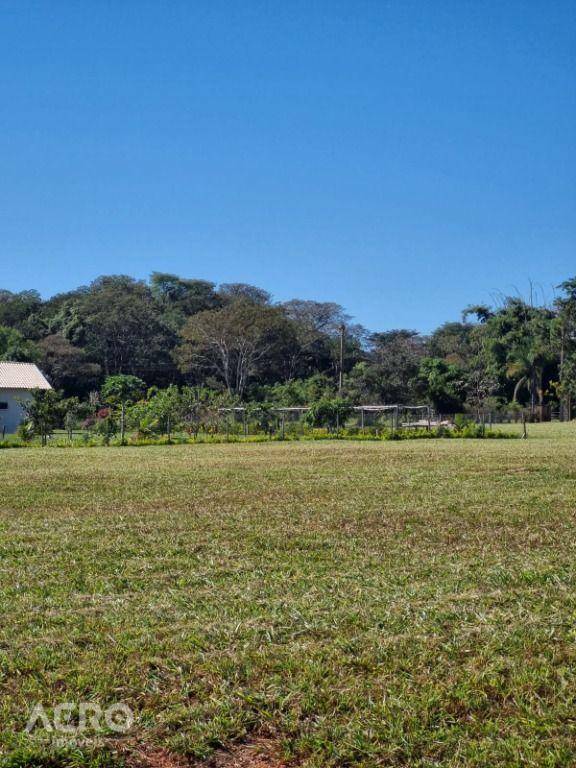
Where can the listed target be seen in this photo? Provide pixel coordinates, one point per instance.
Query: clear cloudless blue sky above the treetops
(402, 158)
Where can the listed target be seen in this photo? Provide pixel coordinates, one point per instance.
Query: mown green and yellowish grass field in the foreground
(336, 604)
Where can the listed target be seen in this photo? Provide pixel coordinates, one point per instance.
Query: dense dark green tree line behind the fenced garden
(232, 343)
